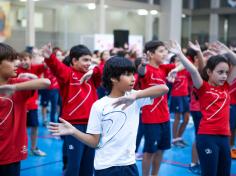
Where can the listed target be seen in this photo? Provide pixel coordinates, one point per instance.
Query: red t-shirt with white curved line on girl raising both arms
(214, 104)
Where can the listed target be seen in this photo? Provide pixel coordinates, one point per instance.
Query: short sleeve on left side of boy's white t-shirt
(94, 123)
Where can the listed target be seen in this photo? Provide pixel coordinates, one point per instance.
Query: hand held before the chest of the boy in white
(126, 101)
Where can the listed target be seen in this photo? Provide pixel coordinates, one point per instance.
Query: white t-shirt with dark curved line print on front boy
(118, 131)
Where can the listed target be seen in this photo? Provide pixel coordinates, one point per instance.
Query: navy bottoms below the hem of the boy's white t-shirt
(130, 170)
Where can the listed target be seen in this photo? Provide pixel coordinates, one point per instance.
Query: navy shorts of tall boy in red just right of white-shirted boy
(157, 137)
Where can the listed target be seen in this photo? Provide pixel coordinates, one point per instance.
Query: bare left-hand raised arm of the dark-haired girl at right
(175, 48)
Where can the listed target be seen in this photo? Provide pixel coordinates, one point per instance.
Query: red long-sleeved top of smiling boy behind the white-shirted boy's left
(77, 99)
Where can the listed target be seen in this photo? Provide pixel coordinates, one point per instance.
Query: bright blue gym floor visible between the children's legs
(175, 162)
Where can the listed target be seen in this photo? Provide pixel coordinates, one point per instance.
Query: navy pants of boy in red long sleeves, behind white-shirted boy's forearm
(80, 157)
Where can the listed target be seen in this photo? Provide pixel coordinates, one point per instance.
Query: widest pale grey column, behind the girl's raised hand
(170, 20)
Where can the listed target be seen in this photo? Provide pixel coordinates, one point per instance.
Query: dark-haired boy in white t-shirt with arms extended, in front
(113, 121)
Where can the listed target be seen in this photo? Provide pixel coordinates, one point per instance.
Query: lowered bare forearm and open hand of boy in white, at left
(65, 128)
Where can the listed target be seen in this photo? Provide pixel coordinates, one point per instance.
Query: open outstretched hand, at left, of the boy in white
(61, 129)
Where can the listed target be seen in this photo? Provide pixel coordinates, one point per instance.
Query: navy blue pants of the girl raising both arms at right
(214, 154)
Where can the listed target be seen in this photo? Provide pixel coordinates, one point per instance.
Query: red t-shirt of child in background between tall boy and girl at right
(180, 86)
